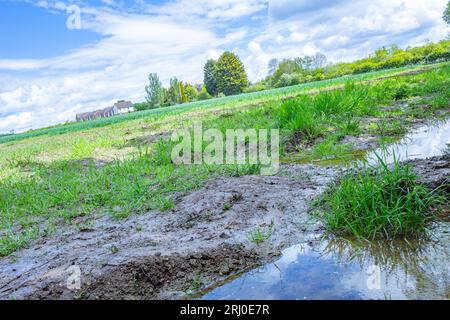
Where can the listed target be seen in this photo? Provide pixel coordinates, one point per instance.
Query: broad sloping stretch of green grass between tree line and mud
(113, 169)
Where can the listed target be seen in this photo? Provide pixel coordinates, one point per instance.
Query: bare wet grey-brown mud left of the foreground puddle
(167, 255)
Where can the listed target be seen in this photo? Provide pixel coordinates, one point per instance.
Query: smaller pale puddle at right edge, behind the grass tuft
(425, 142)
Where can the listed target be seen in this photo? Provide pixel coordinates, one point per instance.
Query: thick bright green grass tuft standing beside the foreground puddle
(379, 202)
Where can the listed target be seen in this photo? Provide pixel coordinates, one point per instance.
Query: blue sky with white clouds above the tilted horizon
(60, 58)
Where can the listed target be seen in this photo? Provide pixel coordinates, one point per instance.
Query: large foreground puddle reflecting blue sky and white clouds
(344, 270)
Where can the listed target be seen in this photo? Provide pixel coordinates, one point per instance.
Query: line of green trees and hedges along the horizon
(227, 75)
